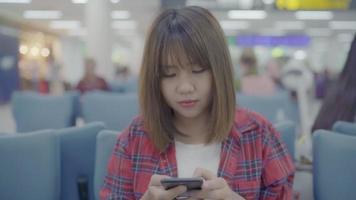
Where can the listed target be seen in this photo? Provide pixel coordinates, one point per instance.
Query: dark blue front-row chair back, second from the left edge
(78, 159)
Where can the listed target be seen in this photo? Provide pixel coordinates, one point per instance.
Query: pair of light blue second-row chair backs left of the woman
(33, 111)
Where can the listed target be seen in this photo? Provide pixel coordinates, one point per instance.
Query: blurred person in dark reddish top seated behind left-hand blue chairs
(90, 80)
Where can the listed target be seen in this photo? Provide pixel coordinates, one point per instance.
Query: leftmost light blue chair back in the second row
(33, 111)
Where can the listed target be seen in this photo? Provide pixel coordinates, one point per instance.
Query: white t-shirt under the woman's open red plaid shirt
(191, 156)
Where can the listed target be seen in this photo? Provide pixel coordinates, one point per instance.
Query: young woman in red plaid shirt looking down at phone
(189, 125)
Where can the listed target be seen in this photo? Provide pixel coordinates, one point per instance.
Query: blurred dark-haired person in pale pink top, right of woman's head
(253, 83)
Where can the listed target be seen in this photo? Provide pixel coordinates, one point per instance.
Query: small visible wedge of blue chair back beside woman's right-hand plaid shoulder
(287, 129)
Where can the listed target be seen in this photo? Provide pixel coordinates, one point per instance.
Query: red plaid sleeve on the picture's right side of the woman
(278, 170)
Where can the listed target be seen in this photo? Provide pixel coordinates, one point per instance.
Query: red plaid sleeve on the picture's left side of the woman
(118, 183)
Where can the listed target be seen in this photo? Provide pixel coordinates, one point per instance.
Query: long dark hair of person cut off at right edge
(340, 102)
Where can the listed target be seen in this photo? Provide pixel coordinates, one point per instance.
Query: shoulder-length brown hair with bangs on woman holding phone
(179, 34)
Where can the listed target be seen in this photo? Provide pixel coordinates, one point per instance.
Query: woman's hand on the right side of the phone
(213, 187)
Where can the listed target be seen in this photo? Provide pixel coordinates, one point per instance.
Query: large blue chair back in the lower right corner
(334, 161)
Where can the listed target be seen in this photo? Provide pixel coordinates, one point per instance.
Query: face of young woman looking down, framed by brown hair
(187, 89)
